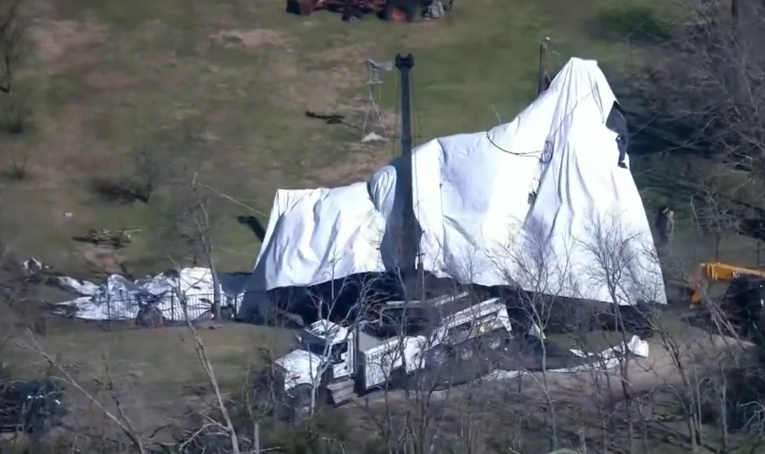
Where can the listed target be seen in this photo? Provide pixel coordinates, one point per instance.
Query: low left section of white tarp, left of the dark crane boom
(317, 235)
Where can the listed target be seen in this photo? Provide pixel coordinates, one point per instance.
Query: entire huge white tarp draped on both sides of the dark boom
(472, 202)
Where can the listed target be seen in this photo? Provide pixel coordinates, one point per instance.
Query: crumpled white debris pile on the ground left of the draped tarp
(118, 298)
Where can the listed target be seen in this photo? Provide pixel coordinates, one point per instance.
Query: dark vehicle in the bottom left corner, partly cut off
(33, 406)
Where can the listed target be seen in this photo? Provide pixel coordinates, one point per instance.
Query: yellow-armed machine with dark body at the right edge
(743, 301)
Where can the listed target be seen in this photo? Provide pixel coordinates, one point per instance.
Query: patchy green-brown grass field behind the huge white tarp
(223, 86)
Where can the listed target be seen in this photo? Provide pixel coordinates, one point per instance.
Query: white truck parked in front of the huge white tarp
(333, 364)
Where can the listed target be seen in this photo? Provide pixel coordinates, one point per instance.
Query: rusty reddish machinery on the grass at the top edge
(391, 10)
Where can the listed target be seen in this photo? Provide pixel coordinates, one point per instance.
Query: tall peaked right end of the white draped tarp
(587, 225)
